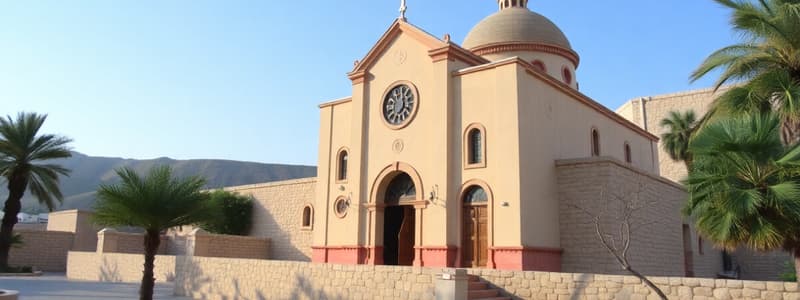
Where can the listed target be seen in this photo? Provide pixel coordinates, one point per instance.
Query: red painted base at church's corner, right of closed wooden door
(526, 258)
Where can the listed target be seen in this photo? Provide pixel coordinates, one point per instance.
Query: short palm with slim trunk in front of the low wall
(154, 203)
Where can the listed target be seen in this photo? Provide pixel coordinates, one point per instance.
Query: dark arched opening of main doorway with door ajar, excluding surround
(399, 221)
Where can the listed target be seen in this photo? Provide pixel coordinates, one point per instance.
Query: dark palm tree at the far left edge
(22, 151)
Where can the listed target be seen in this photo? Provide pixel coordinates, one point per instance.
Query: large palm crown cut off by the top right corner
(766, 63)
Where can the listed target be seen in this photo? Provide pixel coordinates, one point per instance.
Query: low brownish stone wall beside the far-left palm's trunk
(45, 250)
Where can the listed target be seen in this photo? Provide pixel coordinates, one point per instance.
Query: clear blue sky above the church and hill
(242, 80)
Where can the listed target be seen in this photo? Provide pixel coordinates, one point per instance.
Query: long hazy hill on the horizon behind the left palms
(88, 172)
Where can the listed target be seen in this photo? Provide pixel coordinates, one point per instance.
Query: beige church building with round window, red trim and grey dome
(461, 155)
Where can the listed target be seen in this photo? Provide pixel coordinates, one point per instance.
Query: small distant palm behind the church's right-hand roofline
(680, 128)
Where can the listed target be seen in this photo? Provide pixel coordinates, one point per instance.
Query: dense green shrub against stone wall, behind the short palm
(236, 214)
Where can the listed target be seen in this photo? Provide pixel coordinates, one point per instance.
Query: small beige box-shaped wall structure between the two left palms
(78, 222)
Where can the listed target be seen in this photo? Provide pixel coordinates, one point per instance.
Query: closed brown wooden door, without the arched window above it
(474, 243)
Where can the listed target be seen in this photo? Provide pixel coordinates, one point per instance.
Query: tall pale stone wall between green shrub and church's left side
(277, 215)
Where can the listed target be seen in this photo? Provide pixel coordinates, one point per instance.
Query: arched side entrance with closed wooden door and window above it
(474, 230)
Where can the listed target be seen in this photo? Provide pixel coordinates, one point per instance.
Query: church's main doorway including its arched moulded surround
(395, 218)
